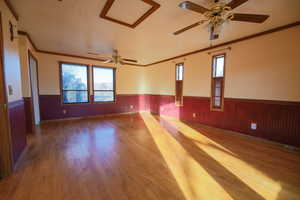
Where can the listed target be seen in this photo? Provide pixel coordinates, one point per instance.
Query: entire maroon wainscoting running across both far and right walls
(276, 121)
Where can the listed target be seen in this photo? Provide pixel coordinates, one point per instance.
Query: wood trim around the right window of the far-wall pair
(114, 89)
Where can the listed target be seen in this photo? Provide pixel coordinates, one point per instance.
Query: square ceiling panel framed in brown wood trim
(129, 13)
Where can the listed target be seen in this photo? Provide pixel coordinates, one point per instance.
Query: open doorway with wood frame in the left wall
(33, 72)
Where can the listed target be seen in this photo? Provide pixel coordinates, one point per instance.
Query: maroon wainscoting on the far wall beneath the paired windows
(52, 108)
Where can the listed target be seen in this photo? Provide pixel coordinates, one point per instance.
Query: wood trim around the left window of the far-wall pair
(61, 83)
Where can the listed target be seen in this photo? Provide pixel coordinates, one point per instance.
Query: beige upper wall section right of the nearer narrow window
(266, 68)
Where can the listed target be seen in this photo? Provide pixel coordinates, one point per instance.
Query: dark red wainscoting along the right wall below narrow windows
(276, 121)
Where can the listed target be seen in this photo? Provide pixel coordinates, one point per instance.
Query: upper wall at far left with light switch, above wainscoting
(11, 55)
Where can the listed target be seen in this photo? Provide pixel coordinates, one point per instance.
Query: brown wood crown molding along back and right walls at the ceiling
(280, 28)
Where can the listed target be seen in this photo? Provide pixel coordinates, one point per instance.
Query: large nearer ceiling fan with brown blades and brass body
(219, 13)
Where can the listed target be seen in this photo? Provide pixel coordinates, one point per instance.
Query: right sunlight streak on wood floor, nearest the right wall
(253, 178)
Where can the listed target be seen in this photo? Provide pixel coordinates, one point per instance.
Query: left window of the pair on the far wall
(74, 83)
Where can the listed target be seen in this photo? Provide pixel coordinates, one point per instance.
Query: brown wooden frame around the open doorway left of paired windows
(30, 54)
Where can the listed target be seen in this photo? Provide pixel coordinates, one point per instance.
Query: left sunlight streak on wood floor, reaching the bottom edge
(193, 180)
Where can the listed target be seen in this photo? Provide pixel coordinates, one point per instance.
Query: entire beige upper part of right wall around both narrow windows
(266, 67)
